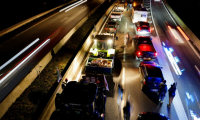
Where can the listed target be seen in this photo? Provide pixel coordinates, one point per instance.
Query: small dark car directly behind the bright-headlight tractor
(111, 27)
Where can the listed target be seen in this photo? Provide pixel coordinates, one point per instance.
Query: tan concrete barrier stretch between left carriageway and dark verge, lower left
(10, 99)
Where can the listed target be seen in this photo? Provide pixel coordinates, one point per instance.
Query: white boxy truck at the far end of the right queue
(139, 13)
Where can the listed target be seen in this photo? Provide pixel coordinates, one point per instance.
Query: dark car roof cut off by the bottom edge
(152, 116)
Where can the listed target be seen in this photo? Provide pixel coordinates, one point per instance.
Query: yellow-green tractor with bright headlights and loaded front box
(101, 58)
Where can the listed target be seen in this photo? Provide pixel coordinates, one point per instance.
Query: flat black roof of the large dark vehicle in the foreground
(79, 93)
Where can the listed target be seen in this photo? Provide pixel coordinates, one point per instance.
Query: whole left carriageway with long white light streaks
(53, 27)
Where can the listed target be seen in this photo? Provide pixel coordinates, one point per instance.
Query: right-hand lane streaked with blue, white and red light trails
(188, 82)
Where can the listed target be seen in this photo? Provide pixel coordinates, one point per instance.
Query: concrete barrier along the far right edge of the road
(189, 33)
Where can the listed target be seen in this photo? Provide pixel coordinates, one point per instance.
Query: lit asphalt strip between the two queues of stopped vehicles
(140, 101)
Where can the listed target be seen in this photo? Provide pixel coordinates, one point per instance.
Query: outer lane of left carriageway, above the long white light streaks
(44, 29)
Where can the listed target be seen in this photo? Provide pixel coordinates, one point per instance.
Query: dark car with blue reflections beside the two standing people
(151, 76)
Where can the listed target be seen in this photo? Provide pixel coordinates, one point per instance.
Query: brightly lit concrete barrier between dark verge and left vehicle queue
(76, 66)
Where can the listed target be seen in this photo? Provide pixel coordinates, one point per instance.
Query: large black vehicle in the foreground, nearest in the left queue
(82, 100)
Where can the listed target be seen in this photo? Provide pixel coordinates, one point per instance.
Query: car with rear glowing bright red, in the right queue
(144, 49)
